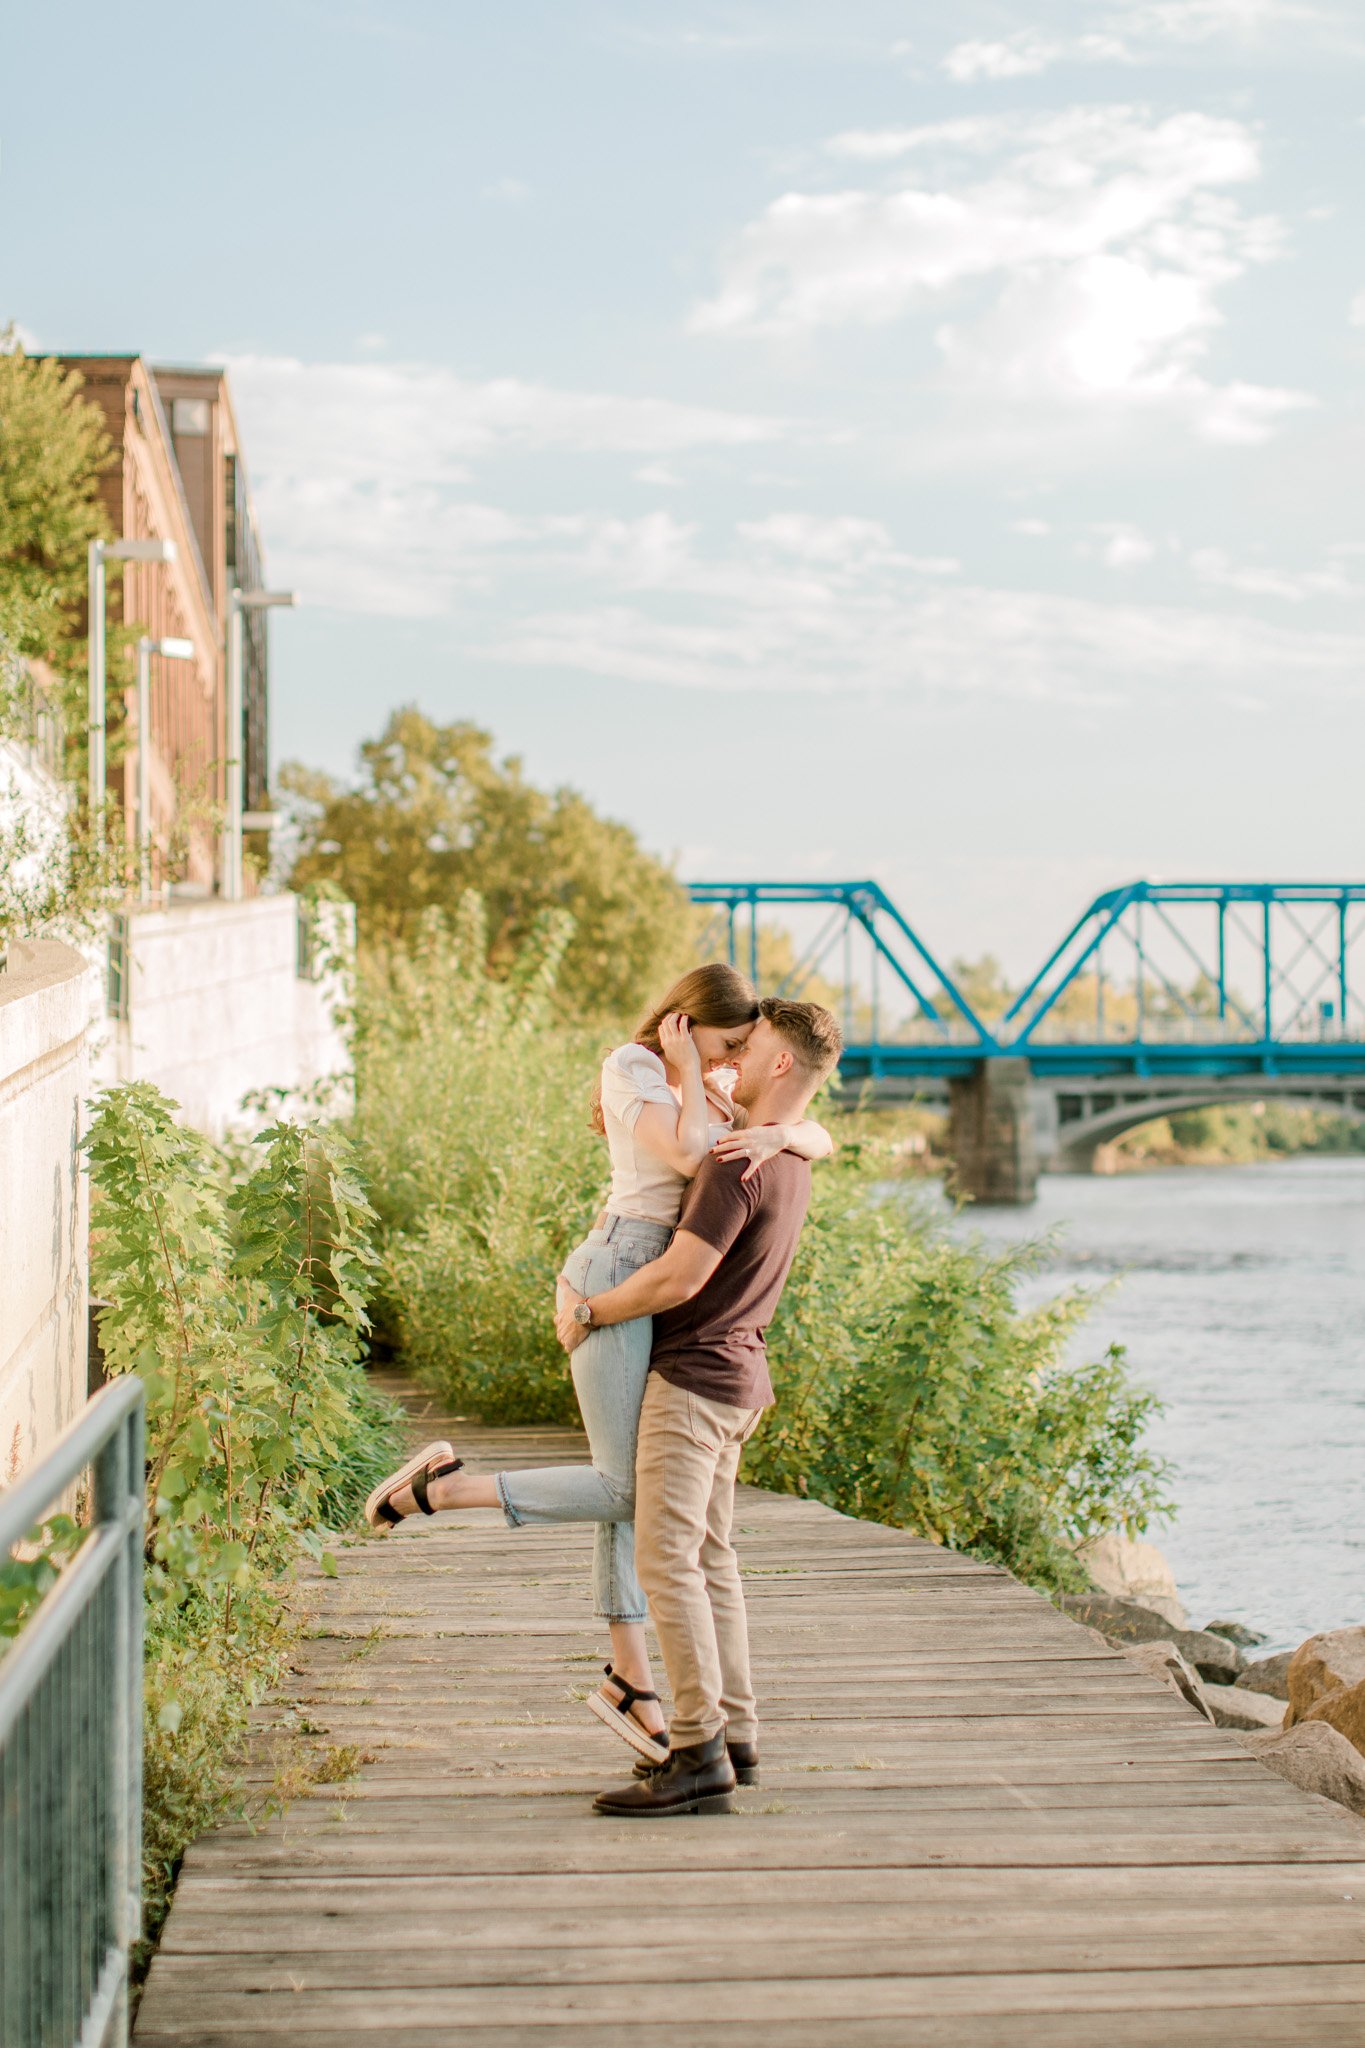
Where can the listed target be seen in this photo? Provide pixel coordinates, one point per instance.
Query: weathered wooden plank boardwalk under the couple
(977, 1828)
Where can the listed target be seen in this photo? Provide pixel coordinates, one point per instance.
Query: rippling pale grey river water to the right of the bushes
(1241, 1302)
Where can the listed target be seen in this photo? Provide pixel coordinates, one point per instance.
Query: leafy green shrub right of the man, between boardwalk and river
(914, 1392)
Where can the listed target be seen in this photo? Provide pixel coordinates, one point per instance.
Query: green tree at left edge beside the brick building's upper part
(54, 452)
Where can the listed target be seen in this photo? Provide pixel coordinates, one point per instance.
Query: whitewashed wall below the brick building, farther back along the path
(216, 1009)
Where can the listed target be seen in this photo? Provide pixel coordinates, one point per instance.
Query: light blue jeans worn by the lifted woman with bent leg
(611, 1369)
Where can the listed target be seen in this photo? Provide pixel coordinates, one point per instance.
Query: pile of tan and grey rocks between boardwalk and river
(1303, 1713)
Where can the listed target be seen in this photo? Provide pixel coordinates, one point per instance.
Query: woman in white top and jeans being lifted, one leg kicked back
(662, 1107)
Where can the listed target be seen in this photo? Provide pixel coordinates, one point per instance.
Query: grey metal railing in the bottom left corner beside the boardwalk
(71, 1748)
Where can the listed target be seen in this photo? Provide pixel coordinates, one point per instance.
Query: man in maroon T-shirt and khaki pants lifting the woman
(713, 1295)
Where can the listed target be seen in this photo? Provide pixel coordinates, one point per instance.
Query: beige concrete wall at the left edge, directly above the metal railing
(44, 1267)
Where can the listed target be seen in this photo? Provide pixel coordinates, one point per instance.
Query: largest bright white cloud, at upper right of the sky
(1100, 239)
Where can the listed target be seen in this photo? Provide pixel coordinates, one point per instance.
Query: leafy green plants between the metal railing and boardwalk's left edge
(243, 1304)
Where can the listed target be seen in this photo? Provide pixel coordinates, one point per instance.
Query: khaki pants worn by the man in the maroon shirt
(685, 1504)
